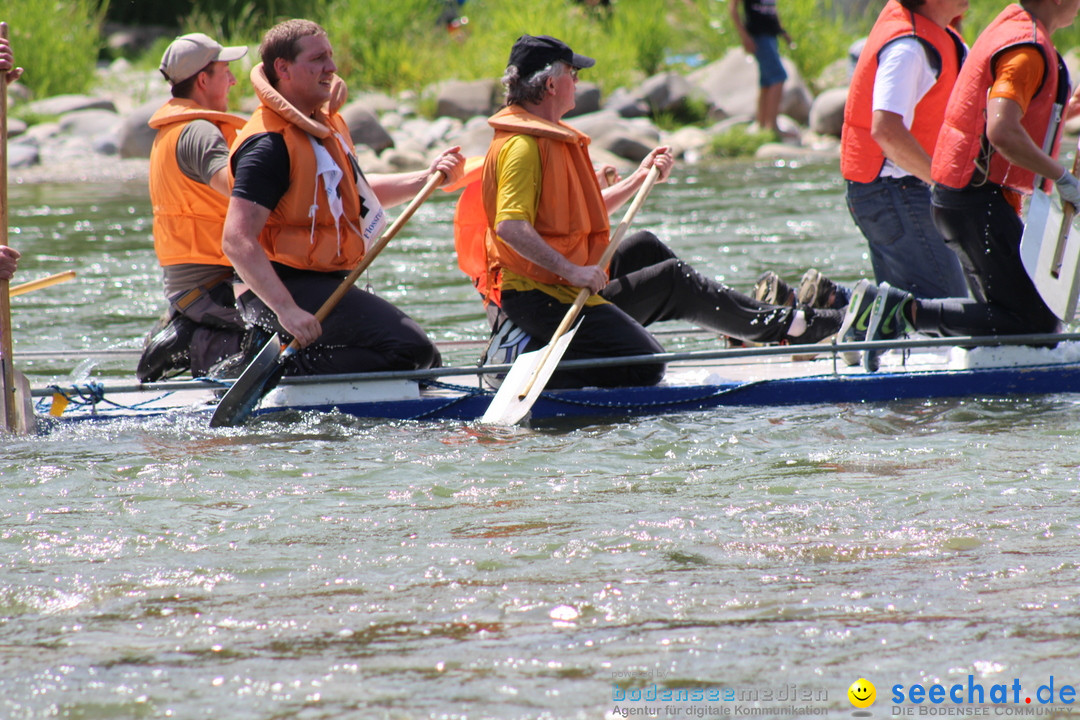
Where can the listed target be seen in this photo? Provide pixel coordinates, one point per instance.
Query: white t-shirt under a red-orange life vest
(904, 76)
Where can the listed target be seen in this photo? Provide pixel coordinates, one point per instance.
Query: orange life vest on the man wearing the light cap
(188, 216)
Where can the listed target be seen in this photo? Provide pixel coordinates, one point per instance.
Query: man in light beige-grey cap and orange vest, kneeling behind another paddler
(190, 188)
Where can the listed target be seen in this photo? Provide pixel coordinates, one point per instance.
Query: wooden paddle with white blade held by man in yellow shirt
(532, 372)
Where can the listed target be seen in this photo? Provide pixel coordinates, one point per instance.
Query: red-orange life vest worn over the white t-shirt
(861, 157)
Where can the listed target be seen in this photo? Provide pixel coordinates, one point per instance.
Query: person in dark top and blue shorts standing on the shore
(759, 34)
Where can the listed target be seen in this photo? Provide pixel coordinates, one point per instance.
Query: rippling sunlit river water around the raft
(732, 563)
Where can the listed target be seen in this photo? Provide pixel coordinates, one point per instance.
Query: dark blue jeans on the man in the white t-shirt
(907, 250)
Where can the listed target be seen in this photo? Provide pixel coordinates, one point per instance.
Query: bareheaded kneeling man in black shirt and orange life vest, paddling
(302, 212)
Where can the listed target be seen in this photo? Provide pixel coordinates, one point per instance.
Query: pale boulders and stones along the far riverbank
(104, 135)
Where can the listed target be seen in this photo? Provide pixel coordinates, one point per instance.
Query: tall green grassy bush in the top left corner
(58, 42)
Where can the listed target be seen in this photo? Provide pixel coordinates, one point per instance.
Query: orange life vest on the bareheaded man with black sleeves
(301, 233)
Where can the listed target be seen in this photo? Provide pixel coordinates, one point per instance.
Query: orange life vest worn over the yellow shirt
(572, 216)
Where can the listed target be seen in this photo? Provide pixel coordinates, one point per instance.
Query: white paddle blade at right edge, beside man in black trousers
(1055, 271)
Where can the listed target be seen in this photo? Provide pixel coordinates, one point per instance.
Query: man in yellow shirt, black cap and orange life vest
(548, 226)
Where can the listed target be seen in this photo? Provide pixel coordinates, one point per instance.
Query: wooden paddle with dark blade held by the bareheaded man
(255, 382)
